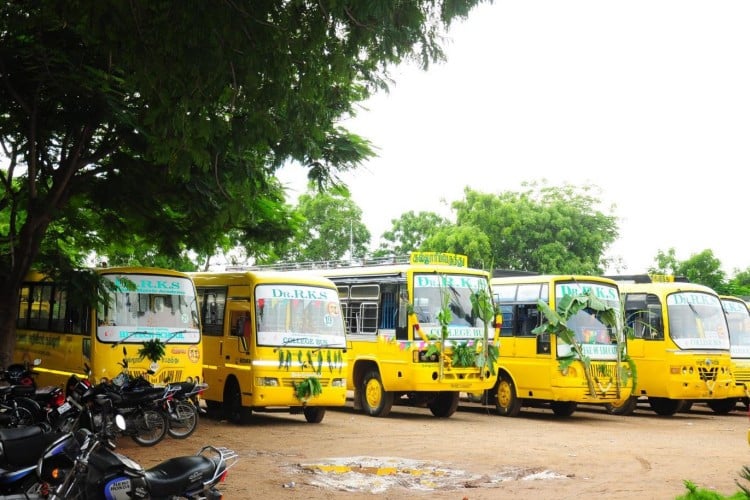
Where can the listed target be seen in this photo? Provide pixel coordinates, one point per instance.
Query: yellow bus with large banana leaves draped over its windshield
(530, 371)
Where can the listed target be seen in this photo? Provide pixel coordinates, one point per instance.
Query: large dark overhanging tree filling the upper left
(166, 120)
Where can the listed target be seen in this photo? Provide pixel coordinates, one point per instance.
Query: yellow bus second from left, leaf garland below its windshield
(273, 342)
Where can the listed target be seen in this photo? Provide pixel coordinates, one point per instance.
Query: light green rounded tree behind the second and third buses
(331, 229)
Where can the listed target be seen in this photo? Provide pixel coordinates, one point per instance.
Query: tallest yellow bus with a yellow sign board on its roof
(395, 346)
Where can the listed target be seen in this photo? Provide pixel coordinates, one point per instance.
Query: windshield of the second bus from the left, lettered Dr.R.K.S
(298, 315)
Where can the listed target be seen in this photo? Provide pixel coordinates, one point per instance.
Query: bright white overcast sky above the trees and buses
(649, 100)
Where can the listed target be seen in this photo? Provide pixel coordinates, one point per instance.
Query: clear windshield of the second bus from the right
(697, 321)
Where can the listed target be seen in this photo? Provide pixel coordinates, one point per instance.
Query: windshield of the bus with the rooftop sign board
(431, 291)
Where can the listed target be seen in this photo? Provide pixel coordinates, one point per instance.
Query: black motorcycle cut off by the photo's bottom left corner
(20, 450)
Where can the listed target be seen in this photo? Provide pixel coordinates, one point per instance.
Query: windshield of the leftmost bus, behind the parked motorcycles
(142, 307)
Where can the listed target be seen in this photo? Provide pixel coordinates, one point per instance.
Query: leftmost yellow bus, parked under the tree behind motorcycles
(55, 325)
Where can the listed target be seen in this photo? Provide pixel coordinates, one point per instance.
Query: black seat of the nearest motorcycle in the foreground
(180, 474)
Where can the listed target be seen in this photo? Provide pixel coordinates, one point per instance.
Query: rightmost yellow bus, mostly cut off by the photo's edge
(738, 321)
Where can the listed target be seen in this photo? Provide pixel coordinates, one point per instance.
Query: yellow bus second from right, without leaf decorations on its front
(680, 346)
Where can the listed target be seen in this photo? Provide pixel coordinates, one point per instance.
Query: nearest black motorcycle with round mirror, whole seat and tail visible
(92, 469)
